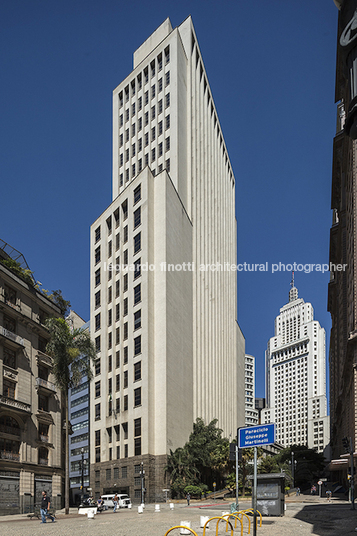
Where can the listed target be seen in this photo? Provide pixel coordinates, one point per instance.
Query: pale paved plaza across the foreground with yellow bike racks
(303, 516)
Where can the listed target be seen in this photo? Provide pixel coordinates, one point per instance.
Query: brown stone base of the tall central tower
(124, 476)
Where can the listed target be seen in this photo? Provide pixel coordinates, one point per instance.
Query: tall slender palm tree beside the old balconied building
(72, 352)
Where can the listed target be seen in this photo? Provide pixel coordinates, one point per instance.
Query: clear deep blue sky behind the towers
(271, 66)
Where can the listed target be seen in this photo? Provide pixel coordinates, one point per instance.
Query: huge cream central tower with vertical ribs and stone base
(168, 344)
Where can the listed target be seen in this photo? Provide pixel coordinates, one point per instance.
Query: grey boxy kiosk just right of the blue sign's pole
(271, 494)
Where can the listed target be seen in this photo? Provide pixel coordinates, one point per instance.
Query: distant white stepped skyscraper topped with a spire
(296, 377)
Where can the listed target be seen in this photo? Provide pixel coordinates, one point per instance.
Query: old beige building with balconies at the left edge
(31, 457)
